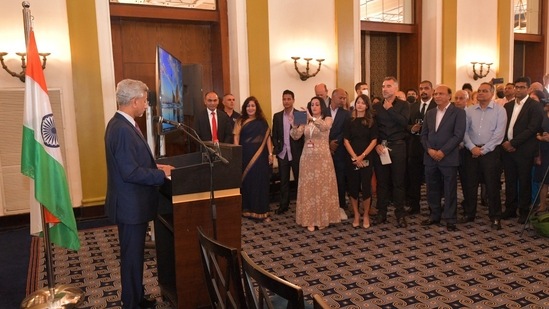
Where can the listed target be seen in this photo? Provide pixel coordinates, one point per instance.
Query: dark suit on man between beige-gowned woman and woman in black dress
(340, 156)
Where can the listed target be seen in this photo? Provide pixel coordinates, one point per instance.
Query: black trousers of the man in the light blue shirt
(488, 168)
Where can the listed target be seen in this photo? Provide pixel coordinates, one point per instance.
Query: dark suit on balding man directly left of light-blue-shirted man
(442, 175)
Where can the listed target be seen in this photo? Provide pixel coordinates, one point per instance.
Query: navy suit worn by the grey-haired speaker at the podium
(132, 199)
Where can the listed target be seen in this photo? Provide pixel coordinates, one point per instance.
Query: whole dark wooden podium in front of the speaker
(185, 205)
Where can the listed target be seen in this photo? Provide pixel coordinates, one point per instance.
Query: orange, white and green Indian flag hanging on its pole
(41, 157)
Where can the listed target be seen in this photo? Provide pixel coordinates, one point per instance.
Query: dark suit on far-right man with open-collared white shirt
(517, 165)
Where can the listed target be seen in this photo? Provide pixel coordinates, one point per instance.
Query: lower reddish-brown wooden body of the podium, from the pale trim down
(180, 273)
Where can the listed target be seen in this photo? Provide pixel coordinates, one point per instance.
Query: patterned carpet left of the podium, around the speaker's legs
(95, 269)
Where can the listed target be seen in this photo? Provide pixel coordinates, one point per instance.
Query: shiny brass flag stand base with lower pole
(62, 296)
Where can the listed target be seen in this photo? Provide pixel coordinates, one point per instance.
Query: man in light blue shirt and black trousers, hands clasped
(486, 122)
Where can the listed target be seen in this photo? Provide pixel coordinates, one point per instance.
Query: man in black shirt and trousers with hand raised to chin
(391, 118)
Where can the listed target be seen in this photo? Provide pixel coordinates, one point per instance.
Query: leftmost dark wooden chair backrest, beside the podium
(222, 273)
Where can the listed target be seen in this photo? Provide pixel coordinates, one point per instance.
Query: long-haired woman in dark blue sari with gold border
(252, 132)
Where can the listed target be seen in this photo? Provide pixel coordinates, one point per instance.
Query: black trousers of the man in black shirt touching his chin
(392, 174)
